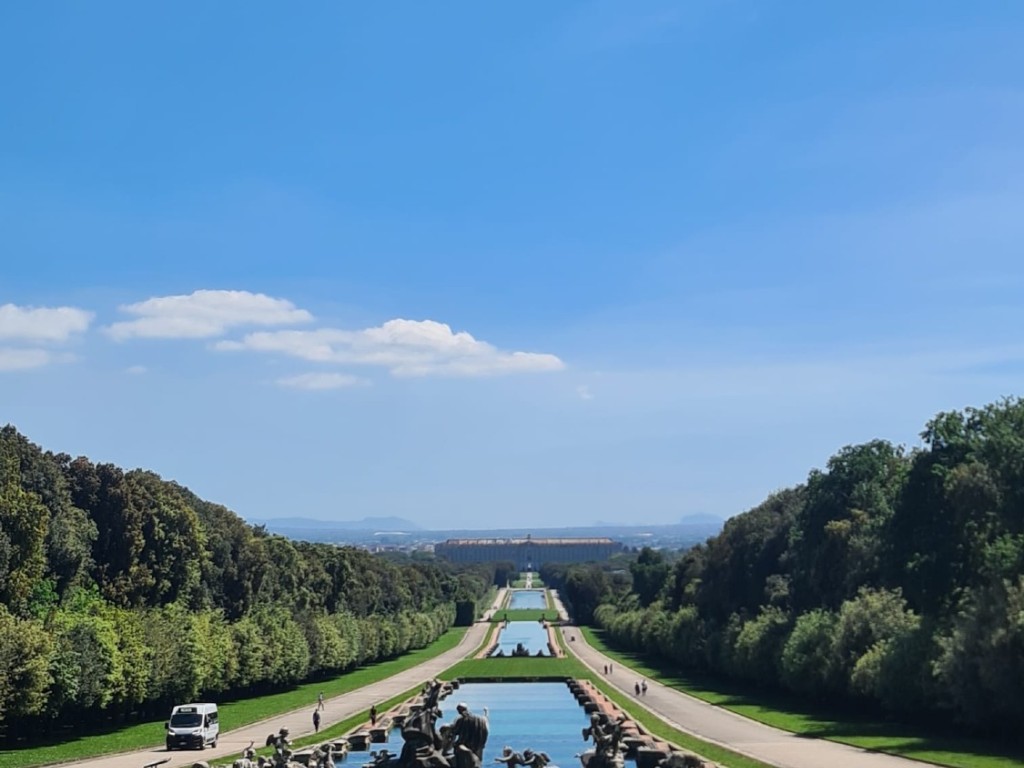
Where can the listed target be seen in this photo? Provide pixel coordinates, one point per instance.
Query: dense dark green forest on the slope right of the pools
(892, 580)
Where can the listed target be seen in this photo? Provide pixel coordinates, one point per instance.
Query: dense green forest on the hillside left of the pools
(122, 593)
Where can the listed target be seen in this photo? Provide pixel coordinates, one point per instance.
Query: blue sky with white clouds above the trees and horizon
(481, 265)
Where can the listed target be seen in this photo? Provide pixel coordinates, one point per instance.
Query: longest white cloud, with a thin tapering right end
(405, 348)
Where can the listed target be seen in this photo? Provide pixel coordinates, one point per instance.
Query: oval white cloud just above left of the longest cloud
(202, 315)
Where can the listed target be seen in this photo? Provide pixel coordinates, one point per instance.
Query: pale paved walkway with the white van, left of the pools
(301, 722)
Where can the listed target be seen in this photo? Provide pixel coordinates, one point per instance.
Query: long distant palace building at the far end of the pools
(529, 553)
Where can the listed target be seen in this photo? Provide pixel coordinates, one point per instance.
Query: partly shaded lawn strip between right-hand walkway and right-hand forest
(803, 717)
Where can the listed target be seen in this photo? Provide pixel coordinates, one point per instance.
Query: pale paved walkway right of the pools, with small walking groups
(729, 730)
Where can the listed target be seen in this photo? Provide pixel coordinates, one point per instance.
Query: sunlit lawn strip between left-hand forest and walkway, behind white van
(233, 714)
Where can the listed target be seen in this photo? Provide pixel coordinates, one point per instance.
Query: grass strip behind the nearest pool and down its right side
(536, 669)
